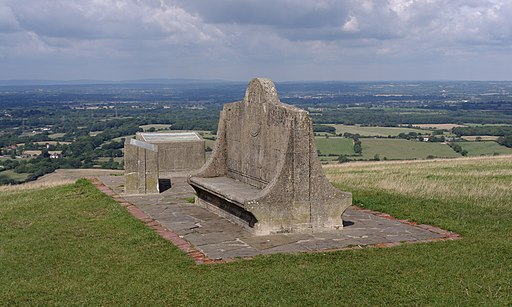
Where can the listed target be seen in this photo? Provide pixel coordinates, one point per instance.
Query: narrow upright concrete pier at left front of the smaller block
(141, 167)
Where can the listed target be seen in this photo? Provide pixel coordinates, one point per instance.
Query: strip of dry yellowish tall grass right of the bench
(486, 181)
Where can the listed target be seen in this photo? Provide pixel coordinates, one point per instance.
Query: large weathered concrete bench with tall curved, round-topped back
(264, 172)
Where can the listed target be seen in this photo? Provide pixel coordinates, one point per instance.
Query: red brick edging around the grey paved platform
(201, 258)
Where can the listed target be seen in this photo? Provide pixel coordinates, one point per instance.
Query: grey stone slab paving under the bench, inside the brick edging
(218, 238)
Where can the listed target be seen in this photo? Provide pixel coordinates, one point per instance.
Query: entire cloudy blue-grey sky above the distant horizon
(240, 39)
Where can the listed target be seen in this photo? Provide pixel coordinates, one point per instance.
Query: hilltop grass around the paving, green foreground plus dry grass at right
(73, 245)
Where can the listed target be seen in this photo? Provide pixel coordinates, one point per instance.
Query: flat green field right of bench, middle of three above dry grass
(396, 149)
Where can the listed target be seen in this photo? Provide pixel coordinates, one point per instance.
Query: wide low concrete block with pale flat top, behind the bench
(177, 151)
